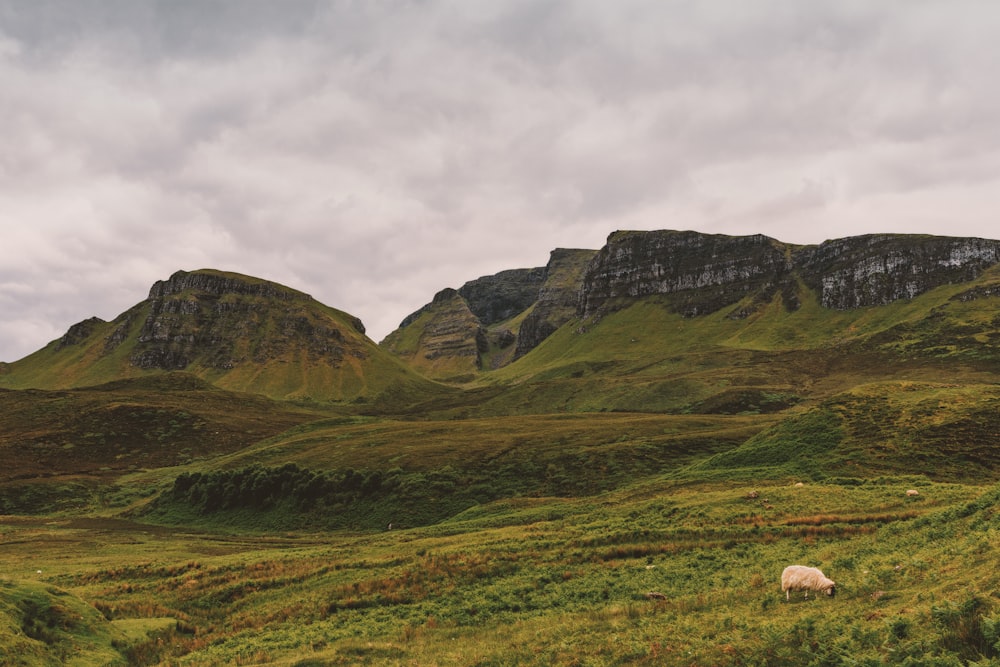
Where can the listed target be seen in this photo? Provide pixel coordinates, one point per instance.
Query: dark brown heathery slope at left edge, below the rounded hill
(67, 448)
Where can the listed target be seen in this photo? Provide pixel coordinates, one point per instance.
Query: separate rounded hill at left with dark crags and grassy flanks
(234, 331)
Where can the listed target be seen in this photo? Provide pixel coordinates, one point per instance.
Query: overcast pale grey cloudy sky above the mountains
(371, 153)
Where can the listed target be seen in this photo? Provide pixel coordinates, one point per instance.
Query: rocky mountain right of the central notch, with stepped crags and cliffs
(694, 274)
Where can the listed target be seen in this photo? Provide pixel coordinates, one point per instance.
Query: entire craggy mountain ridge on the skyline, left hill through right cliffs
(248, 334)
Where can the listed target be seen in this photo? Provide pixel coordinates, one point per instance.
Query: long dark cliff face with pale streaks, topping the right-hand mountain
(701, 273)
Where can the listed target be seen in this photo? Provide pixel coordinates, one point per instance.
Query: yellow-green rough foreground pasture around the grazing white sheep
(551, 581)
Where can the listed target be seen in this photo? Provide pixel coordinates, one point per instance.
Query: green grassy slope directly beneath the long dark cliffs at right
(648, 359)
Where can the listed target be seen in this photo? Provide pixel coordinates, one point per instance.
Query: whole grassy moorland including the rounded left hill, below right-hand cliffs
(627, 491)
